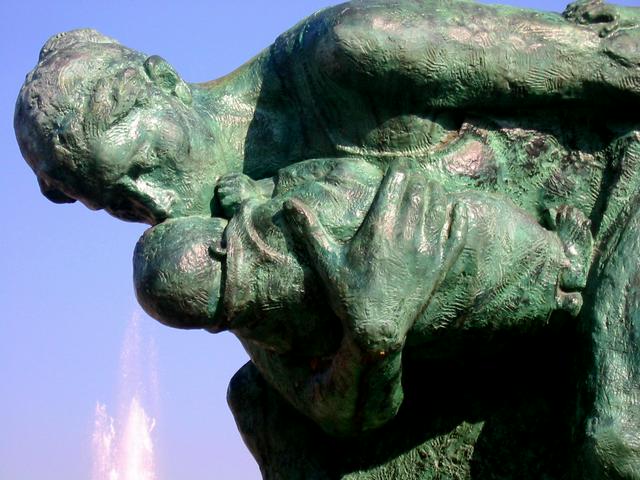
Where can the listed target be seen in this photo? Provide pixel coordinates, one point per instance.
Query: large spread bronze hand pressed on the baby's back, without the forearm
(381, 280)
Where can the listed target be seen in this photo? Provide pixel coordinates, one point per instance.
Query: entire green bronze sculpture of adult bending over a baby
(420, 218)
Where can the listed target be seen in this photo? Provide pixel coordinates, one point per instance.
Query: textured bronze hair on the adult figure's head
(50, 109)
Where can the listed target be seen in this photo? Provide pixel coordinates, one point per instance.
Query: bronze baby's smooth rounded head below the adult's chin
(177, 273)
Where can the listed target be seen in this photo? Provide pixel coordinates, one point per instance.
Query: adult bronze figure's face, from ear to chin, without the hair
(147, 148)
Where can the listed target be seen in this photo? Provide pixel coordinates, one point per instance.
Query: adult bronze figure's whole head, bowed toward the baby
(115, 129)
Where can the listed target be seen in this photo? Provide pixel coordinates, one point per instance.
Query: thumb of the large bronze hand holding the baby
(309, 231)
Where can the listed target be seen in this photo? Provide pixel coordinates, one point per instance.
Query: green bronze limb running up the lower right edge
(611, 390)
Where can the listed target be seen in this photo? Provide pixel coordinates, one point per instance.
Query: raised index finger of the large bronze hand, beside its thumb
(384, 212)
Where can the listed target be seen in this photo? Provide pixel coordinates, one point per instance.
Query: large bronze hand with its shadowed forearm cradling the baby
(376, 284)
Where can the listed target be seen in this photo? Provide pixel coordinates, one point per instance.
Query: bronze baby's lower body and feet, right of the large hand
(513, 274)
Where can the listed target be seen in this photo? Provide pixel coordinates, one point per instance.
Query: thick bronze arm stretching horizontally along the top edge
(462, 54)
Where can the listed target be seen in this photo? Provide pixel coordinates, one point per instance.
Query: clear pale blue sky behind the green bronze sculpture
(66, 293)
